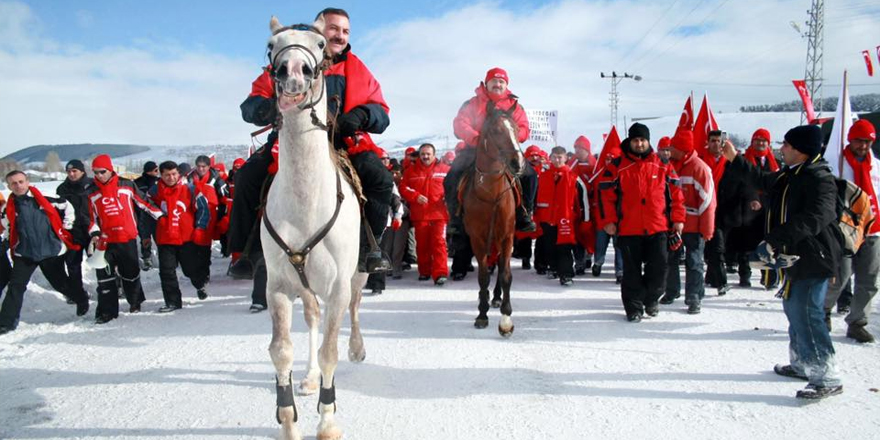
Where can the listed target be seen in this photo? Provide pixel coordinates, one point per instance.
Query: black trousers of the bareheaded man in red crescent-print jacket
(187, 256)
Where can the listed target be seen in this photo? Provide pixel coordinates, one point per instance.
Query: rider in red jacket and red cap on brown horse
(491, 93)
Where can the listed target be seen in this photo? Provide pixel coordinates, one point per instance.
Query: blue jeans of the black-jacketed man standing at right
(810, 348)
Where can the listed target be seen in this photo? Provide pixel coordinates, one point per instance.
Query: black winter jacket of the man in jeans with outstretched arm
(802, 218)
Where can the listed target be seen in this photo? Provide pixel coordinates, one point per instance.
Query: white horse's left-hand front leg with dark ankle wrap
(281, 351)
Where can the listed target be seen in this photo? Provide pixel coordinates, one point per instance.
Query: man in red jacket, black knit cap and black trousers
(640, 201)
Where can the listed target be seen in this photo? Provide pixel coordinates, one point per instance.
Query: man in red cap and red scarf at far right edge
(863, 169)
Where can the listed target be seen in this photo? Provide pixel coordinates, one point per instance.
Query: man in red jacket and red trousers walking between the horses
(422, 188)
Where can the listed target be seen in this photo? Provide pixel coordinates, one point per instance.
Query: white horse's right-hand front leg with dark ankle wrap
(328, 358)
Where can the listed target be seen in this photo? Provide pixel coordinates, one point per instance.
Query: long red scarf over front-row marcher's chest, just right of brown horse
(556, 192)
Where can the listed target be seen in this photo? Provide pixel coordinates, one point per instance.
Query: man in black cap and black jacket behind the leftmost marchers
(75, 189)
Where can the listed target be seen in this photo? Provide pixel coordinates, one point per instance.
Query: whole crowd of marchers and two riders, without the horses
(682, 201)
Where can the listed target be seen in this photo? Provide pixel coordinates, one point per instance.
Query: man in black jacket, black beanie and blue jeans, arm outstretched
(802, 199)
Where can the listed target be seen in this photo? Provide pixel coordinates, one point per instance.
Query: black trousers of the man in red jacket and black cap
(644, 270)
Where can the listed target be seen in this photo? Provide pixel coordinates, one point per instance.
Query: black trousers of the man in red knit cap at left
(122, 259)
